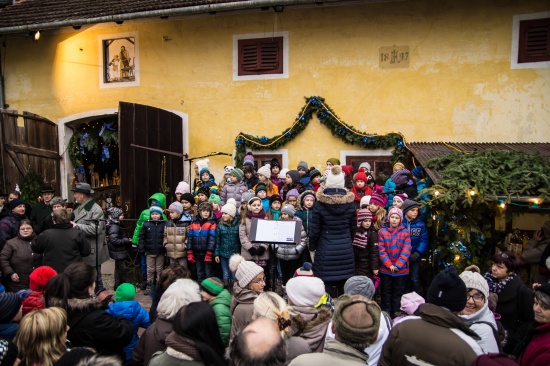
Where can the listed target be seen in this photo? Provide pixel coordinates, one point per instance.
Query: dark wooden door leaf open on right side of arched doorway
(147, 136)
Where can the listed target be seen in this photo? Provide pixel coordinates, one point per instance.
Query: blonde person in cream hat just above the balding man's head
(272, 306)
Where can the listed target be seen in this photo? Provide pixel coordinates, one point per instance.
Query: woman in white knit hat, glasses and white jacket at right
(476, 313)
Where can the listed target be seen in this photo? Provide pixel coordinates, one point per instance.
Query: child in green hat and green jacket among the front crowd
(213, 292)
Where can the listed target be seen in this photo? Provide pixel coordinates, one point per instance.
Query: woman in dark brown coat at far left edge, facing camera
(17, 260)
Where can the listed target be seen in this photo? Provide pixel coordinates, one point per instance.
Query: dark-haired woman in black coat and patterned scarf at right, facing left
(515, 299)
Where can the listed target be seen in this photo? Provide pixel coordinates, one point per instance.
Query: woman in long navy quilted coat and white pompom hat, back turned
(331, 232)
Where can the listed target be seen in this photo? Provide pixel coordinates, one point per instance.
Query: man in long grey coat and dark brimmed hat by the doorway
(89, 218)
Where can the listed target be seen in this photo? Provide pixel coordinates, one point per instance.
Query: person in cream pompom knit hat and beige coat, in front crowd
(250, 283)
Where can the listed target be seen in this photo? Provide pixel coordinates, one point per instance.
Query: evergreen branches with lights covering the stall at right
(462, 224)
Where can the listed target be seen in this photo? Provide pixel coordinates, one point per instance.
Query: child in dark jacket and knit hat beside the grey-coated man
(118, 243)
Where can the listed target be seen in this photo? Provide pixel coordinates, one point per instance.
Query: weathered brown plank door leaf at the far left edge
(32, 145)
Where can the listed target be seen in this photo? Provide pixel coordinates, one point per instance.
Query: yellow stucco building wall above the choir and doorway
(459, 85)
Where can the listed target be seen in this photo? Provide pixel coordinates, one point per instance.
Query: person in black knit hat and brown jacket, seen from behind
(435, 335)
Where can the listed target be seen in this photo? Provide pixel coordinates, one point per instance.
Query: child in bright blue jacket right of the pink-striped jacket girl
(419, 240)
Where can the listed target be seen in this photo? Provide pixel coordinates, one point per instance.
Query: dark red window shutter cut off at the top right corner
(534, 40)
